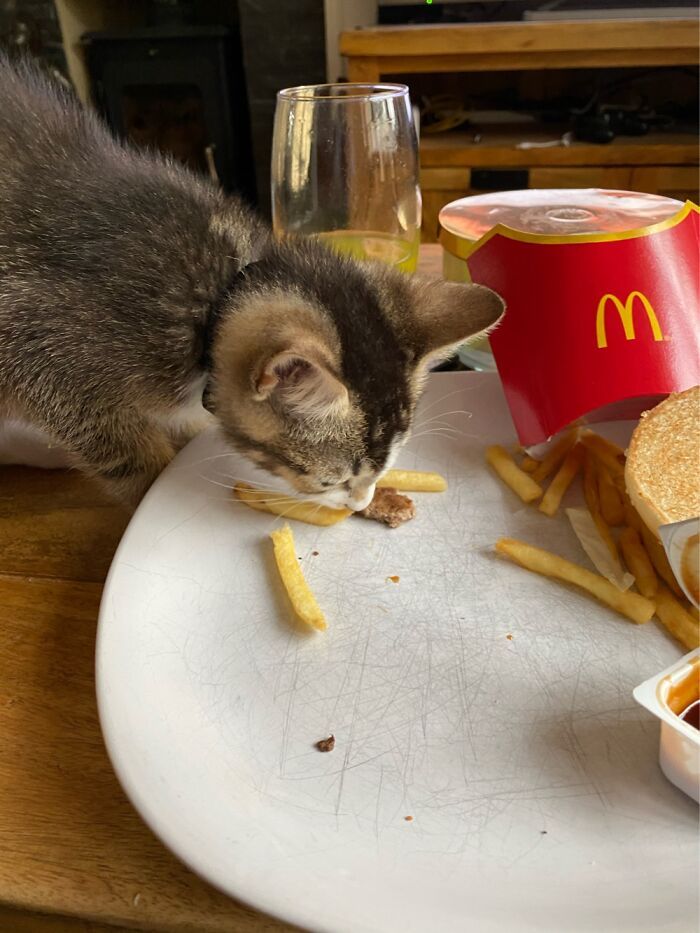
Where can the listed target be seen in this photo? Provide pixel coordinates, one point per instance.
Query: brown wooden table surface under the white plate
(74, 855)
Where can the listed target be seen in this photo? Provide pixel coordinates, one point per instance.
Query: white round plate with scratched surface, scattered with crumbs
(531, 775)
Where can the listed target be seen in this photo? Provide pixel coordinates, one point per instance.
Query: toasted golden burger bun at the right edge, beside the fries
(662, 472)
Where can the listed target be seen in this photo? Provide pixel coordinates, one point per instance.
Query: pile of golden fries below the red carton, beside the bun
(628, 539)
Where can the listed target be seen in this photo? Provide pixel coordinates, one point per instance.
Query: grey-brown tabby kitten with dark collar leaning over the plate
(130, 288)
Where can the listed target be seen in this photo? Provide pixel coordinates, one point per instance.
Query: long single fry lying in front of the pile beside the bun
(632, 605)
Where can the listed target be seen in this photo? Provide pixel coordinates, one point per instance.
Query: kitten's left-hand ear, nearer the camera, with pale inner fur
(302, 384)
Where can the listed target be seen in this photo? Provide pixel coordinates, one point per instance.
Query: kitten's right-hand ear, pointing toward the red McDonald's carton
(447, 313)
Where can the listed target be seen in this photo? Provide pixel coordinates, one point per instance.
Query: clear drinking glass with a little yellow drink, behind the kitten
(345, 169)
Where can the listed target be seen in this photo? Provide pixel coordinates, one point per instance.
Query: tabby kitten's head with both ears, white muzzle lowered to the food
(319, 361)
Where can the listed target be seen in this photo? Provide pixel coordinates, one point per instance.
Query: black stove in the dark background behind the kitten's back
(179, 89)
